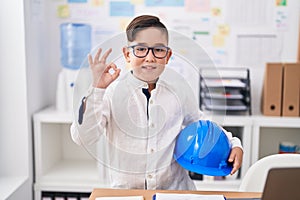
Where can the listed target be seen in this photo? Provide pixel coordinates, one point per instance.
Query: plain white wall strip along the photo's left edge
(15, 137)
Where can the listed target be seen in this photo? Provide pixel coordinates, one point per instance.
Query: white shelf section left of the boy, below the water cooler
(60, 164)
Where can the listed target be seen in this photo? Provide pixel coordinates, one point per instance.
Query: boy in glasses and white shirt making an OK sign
(141, 114)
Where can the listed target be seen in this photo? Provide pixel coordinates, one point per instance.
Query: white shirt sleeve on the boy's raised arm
(92, 117)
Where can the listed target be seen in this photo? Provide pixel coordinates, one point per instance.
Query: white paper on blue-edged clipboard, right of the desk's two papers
(174, 196)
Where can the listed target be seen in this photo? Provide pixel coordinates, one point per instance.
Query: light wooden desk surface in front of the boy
(149, 193)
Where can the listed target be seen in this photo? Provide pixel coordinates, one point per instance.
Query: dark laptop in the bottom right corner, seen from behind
(281, 184)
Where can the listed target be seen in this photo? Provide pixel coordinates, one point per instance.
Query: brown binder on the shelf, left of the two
(272, 89)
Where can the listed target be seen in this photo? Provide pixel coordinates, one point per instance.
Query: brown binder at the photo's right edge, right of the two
(291, 89)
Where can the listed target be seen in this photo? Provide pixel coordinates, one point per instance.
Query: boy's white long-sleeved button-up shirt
(137, 137)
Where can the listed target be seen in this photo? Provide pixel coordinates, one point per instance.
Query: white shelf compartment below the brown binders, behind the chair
(268, 132)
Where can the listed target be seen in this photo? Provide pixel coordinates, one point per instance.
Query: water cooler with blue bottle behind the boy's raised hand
(75, 44)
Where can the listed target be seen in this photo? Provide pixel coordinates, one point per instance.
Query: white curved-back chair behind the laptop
(255, 177)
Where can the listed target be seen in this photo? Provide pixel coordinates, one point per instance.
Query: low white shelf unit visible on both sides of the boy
(62, 165)
